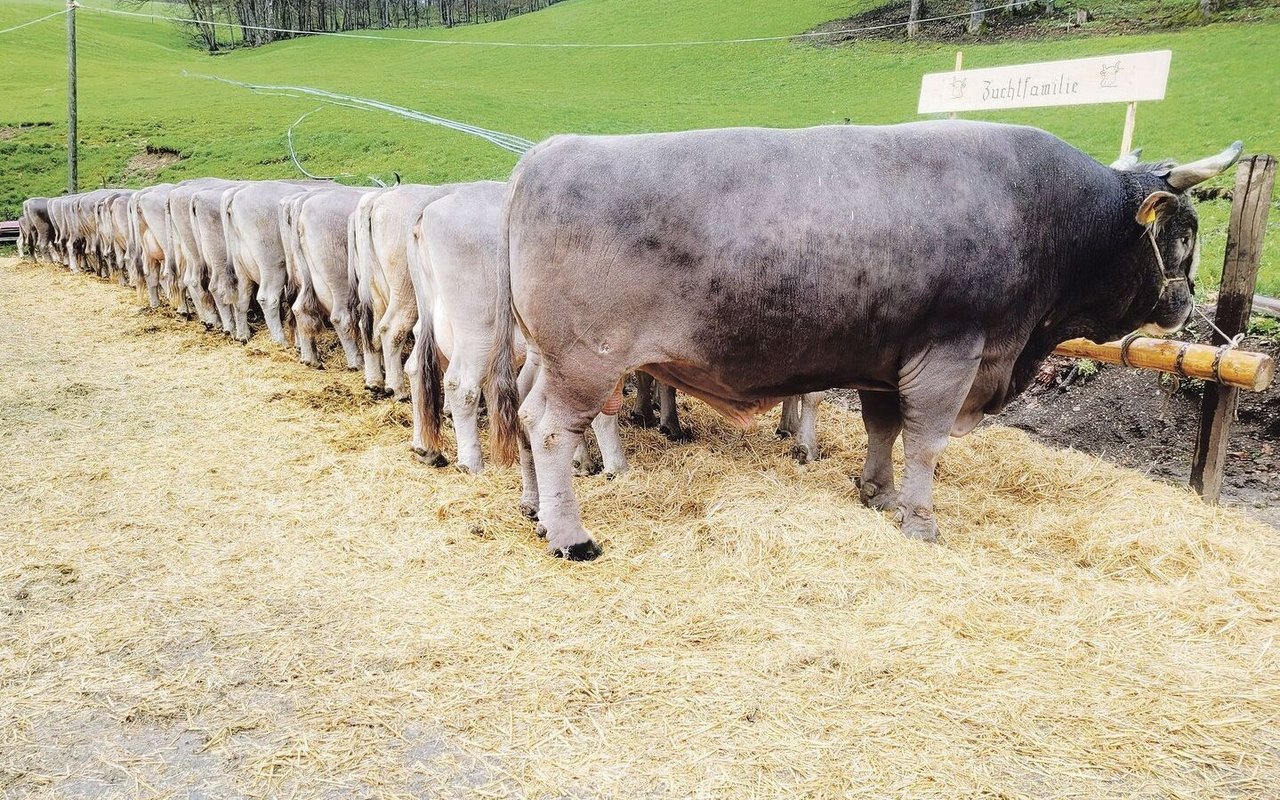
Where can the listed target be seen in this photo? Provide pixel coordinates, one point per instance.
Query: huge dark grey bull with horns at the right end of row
(931, 267)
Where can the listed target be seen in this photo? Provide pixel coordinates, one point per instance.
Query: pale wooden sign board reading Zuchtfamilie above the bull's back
(1112, 79)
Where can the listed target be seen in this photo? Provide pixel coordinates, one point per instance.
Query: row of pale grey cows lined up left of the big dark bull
(382, 268)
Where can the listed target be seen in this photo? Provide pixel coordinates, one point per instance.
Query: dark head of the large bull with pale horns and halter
(1171, 235)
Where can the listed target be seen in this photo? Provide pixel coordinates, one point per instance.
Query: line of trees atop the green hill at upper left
(248, 19)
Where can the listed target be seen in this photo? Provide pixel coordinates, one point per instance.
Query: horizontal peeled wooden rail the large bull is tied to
(1241, 369)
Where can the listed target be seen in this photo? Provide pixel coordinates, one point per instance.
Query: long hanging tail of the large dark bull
(502, 391)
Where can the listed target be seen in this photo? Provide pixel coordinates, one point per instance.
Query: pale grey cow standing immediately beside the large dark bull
(455, 259)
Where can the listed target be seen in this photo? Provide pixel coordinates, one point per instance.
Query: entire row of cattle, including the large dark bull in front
(931, 267)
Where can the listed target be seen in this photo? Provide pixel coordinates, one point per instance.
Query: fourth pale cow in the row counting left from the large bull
(257, 252)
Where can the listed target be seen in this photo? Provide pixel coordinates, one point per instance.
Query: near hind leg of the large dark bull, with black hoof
(556, 414)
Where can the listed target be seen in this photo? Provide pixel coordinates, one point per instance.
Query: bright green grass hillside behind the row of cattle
(1226, 85)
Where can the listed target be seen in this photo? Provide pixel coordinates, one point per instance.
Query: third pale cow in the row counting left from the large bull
(317, 228)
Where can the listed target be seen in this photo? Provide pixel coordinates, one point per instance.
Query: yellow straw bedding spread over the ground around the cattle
(223, 573)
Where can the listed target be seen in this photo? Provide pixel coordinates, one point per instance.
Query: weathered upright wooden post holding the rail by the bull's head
(1254, 181)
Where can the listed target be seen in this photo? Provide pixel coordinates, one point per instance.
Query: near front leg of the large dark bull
(934, 388)
